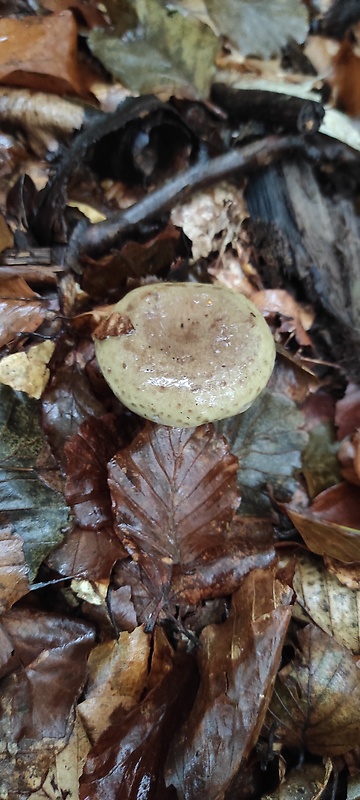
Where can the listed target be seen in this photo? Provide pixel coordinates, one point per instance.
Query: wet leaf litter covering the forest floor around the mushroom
(179, 608)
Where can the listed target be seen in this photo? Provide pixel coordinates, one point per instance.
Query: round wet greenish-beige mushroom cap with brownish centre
(182, 354)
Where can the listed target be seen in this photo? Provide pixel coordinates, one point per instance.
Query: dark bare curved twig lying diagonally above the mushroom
(99, 238)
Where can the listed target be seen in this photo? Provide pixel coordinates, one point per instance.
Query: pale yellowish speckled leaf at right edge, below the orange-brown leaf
(334, 607)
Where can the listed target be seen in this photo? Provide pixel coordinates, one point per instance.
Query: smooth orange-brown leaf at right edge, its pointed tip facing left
(331, 525)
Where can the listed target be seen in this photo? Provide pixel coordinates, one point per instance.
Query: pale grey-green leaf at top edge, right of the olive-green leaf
(259, 28)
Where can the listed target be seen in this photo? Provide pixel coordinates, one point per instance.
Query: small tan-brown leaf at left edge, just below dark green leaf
(14, 571)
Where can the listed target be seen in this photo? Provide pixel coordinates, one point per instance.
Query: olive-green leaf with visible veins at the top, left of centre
(167, 49)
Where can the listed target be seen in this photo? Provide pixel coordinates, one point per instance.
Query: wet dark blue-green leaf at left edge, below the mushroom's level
(34, 512)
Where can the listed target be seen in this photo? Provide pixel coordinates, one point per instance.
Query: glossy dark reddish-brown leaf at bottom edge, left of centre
(126, 763)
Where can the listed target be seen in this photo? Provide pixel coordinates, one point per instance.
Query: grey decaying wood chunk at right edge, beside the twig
(311, 238)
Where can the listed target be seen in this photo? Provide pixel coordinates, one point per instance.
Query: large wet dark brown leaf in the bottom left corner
(37, 698)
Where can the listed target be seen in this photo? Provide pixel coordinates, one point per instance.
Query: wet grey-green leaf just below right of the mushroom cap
(268, 440)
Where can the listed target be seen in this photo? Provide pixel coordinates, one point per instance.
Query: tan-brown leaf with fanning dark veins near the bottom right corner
(316, 700)
